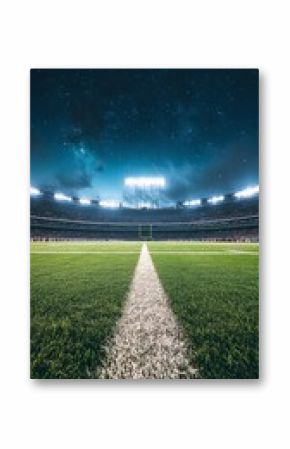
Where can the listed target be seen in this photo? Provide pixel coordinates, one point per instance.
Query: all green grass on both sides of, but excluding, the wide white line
(76, 300)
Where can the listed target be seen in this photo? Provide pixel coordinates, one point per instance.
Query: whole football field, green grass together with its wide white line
(79, 297)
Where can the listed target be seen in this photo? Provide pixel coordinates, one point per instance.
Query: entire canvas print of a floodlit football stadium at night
(144, 224)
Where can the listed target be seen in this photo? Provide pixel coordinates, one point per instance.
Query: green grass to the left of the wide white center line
(76, 300)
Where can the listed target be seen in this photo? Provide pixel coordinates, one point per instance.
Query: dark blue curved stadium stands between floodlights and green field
(233, 219)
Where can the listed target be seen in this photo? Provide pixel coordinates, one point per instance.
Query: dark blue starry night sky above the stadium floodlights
(92, 128)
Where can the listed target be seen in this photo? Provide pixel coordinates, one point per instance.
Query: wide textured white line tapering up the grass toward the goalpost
(148, 342)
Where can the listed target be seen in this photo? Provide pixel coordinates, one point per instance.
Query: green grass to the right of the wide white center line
(215, 299)
